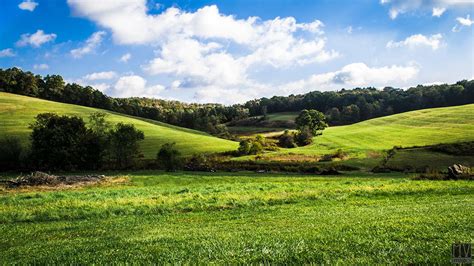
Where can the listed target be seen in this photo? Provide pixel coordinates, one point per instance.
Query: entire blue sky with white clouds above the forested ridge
(233, 51)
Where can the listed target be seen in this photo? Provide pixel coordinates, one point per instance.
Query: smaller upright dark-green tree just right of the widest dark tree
(124, 144)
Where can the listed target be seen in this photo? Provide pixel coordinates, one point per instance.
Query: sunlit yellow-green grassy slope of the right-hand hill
(416, 128)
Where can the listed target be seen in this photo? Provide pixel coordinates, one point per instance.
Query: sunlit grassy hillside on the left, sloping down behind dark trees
(17, 112)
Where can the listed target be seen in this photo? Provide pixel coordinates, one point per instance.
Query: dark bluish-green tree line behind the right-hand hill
(350, 106)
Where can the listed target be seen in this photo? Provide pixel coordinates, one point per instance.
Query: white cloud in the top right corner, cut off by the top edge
(437, 7)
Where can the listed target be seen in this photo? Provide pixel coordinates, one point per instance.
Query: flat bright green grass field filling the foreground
(239, 218)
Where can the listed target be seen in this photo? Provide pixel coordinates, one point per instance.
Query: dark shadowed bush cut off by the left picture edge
(11, 151)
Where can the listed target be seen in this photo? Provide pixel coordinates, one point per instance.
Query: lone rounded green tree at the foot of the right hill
(310, 123)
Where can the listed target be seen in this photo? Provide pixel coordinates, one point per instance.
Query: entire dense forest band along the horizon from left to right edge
(340, 107)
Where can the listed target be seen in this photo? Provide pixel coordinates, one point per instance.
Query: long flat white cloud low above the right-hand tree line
(356, 74)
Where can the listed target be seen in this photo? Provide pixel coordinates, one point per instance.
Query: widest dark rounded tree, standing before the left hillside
(63, 142)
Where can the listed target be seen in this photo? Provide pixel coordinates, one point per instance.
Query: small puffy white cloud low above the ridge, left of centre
(135, 86)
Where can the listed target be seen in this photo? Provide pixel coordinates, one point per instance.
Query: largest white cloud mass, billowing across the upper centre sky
(206, 50)
